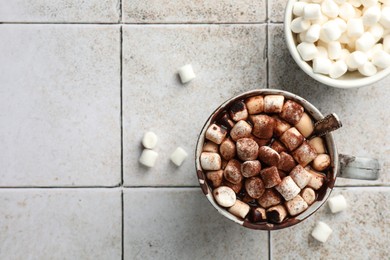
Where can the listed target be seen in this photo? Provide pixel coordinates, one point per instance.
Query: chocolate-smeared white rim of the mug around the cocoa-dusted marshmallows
(330, 144)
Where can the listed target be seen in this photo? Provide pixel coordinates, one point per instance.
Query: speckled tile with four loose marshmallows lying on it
(154, 99)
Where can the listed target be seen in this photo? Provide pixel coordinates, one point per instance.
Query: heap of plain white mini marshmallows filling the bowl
(337, 36)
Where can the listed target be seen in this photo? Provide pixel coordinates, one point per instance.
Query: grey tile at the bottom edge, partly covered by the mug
(179, 223)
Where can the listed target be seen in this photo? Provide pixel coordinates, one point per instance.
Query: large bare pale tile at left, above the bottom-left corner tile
(60, 105)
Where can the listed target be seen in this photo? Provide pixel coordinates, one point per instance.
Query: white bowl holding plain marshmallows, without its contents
(348, 80)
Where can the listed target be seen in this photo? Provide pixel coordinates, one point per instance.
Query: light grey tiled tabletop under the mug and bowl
(81, 81)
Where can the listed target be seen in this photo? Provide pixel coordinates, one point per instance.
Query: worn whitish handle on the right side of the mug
(361, 168)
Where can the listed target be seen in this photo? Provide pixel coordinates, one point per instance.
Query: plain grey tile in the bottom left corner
(60, 224)
